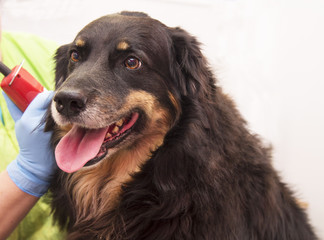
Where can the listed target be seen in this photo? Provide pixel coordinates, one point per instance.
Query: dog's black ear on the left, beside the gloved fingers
(62, 63)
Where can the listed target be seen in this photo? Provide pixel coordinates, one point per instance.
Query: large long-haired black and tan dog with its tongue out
(149, 147)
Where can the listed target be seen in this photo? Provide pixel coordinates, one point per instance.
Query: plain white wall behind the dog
(269, 55)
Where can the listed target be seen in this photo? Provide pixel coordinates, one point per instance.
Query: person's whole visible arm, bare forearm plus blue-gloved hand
(27, 177)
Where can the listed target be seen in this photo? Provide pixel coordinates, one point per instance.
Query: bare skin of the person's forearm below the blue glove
(14, 205)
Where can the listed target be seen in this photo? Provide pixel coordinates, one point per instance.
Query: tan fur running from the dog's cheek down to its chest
(97, 188)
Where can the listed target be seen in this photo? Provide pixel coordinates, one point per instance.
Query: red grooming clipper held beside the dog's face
(19, 85)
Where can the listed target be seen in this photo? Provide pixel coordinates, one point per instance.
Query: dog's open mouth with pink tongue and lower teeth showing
(84, 147)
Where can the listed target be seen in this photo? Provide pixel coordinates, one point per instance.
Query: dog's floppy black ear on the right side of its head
(189, 66)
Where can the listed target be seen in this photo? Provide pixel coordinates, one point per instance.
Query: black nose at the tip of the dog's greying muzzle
(70, 103)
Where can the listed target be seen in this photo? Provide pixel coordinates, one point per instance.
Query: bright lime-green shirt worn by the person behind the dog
(38, 54)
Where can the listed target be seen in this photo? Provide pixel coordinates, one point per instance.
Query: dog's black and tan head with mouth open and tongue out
(119, 86)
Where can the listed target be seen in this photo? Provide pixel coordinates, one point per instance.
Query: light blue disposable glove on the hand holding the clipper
(35, 164)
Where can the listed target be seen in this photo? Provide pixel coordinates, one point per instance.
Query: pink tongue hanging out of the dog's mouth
(77, 147)
